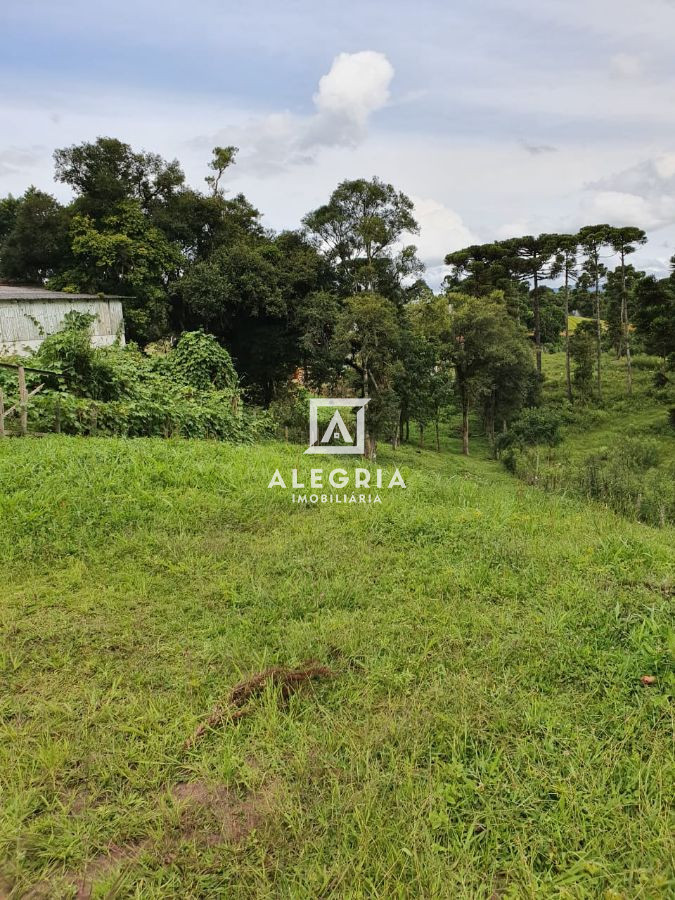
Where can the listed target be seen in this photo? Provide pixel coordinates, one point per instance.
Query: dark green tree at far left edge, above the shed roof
(35, 240)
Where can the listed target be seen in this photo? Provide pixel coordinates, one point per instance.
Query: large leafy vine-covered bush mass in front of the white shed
(192, 391)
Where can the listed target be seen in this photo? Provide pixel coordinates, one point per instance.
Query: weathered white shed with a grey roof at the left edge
(29, 314)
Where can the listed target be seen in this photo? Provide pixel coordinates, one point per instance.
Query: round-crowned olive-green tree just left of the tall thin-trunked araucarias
(484, 340)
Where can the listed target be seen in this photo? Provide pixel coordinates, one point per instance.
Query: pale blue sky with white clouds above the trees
(497, 117)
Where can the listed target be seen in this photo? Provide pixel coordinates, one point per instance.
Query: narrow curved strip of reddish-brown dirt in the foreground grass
(238, 703)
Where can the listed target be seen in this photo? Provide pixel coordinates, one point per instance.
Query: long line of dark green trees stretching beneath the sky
(341, 299)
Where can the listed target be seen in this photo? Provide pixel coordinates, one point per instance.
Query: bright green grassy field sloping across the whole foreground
(484, 731)
